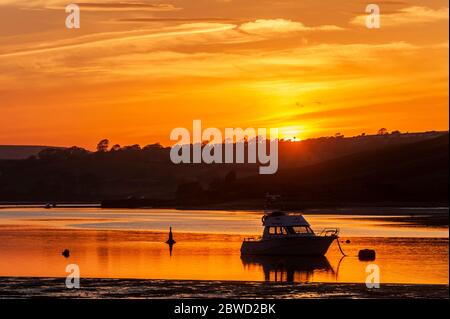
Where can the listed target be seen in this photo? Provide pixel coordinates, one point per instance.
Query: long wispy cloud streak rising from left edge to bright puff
(196, 30)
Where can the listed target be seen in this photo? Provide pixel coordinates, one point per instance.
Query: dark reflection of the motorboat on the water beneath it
(288, 268)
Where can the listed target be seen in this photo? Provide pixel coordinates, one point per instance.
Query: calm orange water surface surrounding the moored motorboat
(130, 244)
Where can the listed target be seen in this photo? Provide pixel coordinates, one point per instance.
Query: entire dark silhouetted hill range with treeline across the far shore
(393, 169)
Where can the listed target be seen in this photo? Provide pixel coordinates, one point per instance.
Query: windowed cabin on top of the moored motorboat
(281, 224)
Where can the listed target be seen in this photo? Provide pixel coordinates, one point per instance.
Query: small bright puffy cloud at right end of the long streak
(262, 26)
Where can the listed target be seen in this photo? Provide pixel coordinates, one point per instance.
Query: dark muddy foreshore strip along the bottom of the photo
(31, 287)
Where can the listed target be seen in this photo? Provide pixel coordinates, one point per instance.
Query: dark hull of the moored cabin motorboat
(291, 246)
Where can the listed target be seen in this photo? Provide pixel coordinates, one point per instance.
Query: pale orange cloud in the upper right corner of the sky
(409, 15)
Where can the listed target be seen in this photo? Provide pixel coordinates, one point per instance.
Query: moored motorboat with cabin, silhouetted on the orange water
(291, 235)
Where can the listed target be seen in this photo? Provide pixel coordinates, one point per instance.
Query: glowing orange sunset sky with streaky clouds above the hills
(137, 69)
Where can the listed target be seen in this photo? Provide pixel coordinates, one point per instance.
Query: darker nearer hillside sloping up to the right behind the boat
(416, 172)
